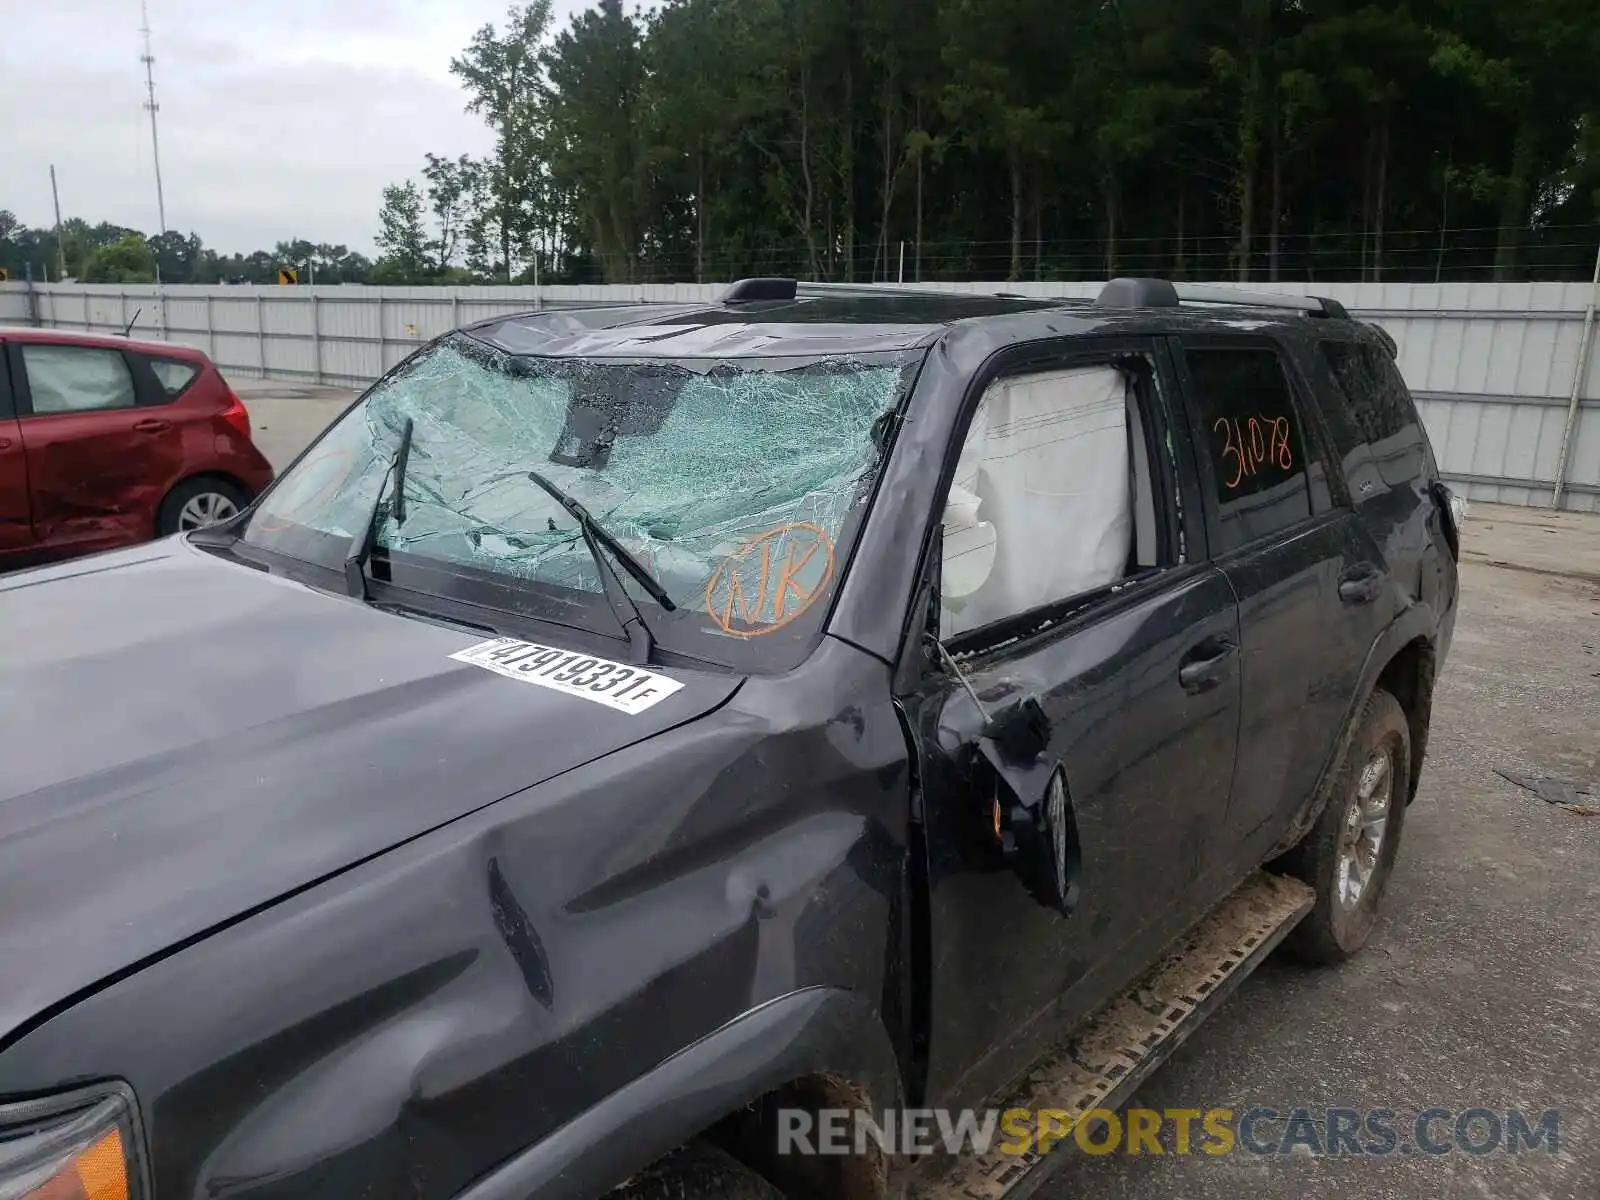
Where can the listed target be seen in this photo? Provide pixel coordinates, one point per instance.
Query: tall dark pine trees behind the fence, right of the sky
(1017, 140)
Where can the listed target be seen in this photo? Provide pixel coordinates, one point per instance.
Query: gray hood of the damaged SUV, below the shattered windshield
(185, 740)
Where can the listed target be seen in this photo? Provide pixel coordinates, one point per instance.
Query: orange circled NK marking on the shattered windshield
(770, 580)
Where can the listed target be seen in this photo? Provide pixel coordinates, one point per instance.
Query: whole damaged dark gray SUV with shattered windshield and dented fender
(633, 734)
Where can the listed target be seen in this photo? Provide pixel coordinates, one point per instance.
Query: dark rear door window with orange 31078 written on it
(1252, 436)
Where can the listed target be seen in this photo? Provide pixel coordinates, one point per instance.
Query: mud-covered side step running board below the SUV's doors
(1129, 1039)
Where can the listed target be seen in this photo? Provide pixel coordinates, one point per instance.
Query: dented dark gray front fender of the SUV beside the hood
(407, 1026)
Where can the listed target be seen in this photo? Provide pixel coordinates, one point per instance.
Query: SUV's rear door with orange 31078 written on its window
(1310, 585)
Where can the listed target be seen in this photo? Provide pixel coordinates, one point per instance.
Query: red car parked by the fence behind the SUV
(110, 442)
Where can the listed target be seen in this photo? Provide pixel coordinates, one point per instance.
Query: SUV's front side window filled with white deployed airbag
(1055, 495)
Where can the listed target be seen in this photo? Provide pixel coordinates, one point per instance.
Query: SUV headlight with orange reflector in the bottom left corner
(81, 1146)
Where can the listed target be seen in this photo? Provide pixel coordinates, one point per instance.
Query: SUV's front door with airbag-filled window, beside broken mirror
(1066, 582)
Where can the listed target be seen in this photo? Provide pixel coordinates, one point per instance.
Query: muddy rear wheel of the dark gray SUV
(1351, 850)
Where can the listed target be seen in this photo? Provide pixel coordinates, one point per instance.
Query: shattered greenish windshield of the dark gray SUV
(734, 482)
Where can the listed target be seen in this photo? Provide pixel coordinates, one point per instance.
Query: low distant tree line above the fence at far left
(110, 254)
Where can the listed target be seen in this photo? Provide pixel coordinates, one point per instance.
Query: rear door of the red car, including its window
(102, 454)
